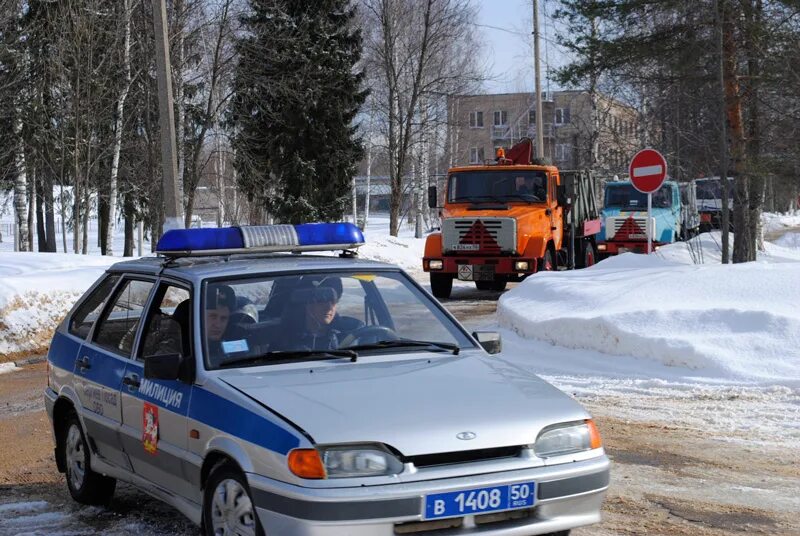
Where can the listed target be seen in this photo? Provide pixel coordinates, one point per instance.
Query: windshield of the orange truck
(500, 185)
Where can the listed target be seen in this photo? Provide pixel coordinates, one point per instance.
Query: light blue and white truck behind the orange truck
(624, 217)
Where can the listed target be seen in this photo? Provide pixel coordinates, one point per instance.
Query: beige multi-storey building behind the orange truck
(479, 124)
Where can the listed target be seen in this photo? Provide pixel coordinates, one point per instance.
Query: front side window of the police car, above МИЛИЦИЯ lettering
(168, 326)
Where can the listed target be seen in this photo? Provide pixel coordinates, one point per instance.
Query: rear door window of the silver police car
(117, 329)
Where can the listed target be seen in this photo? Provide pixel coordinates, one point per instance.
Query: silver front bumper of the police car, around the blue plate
(569, 495)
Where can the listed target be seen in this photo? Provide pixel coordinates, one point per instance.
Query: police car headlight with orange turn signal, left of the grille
(346, 461)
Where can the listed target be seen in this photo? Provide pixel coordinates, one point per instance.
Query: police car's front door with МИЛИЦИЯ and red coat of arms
(154, 426)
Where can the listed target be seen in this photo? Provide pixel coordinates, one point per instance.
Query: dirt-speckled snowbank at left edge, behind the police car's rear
(36, 291)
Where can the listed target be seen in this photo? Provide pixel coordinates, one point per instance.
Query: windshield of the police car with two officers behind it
(321, 315)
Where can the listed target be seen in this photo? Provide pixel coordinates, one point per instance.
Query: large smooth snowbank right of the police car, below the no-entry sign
(735, 323)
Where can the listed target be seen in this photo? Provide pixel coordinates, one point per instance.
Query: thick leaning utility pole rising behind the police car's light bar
(173, 207)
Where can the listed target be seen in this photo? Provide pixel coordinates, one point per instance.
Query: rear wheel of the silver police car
(84, 485)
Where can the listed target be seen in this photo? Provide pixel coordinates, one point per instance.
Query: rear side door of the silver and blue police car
(101, 364)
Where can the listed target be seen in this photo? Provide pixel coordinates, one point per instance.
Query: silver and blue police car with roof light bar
(261, 391)
